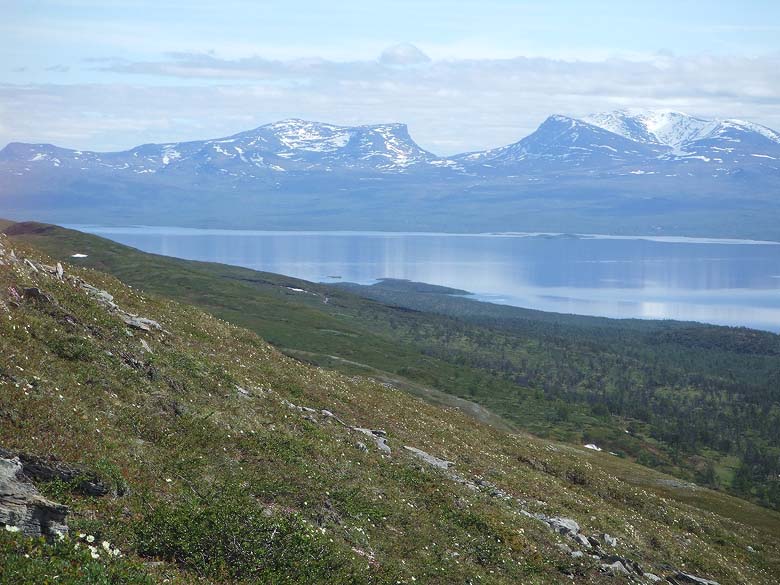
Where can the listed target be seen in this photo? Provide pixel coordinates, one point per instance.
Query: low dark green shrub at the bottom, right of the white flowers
(228, 535)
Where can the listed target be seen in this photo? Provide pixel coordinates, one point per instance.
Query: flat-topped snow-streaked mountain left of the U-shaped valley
(289, 145)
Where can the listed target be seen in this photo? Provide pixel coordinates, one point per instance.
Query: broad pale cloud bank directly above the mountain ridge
(450, 105)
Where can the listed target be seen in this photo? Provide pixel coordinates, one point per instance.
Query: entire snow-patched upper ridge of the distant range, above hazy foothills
(301, 145)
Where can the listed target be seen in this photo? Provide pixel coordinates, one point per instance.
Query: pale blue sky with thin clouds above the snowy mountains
(464, 75)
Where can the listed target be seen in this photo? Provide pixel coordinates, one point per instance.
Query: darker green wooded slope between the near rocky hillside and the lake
(697, 401)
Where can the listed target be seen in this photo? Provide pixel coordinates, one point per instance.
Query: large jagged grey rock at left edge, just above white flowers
(23, 507)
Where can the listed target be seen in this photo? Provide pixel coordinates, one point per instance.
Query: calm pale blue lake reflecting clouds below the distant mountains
(726, 282)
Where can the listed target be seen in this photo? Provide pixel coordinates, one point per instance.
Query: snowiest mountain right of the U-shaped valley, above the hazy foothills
(635, 142)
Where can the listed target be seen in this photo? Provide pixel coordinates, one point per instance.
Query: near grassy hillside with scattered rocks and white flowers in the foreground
(227, 461)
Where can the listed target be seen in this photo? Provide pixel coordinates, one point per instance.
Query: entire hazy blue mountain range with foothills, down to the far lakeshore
(627, 171)
